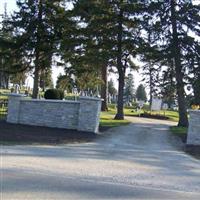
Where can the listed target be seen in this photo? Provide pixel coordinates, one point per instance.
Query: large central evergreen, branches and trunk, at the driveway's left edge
(106, 33)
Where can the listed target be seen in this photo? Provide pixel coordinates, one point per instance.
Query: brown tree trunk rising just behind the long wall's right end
(104, 88)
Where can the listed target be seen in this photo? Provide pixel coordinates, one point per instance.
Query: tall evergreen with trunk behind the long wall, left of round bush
(36, 27)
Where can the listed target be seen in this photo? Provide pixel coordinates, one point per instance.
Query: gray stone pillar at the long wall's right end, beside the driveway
(89, 114)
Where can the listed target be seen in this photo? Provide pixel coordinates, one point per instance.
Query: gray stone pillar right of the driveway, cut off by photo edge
(193, 137)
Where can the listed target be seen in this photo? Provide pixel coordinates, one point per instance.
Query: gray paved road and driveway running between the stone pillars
(138, 161)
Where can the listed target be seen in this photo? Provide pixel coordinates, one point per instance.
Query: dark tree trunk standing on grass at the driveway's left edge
(120, 102)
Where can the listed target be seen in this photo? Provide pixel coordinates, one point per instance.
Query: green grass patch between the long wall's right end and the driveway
(106, 119)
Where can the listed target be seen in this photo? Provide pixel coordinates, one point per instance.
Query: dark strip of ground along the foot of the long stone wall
(12, 134)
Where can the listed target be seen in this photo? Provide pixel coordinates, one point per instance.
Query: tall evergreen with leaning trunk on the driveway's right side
(171, 24)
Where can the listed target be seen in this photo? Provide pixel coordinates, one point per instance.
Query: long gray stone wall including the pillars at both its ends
(82, 115)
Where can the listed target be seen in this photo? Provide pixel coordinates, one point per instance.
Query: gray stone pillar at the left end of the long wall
(14, 108)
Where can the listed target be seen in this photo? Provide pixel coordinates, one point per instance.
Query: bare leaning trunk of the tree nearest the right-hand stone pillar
(183, 119)
